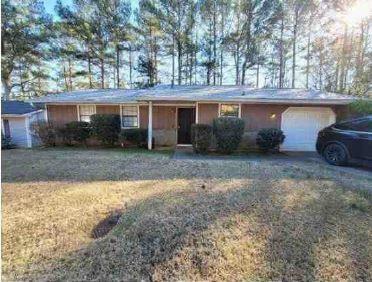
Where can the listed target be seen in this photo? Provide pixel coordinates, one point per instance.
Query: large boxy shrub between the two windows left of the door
(105, 128)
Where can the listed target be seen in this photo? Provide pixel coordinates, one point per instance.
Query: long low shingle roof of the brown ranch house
(196, 93)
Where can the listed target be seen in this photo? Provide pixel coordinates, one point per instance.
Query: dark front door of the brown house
(186, 117)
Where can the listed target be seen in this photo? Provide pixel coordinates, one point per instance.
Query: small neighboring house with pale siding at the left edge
(16, 120)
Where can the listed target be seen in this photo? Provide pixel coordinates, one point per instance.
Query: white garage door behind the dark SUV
(301, 126)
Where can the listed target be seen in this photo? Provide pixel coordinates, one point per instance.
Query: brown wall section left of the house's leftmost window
(61, 114)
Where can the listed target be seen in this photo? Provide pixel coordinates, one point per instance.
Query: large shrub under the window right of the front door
(228, 132)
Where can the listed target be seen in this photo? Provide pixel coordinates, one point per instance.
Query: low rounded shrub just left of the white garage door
(269, 139)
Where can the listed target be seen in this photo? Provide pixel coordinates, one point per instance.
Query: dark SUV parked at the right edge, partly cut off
(346, 141)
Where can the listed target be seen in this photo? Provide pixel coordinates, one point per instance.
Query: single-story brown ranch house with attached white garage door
(168, 112)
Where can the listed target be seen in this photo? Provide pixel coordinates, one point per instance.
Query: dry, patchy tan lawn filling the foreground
(181, 220)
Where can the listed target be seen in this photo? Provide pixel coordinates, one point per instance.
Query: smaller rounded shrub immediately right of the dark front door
(201, 137)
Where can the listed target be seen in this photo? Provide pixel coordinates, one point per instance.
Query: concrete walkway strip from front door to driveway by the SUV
(186, 153)
